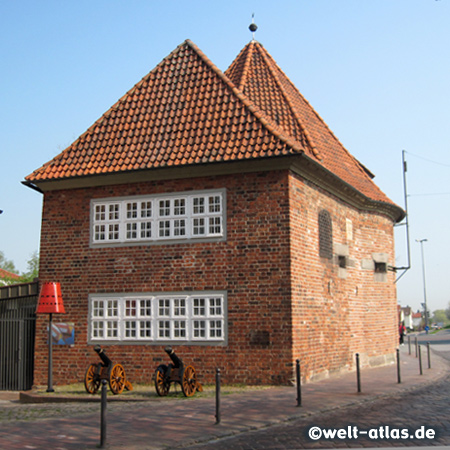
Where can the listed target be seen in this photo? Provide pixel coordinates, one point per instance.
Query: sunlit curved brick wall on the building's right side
(335, 317)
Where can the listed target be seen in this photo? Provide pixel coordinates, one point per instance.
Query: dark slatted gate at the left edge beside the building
(17, 330)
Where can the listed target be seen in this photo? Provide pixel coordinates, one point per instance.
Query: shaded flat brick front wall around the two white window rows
(252, 266)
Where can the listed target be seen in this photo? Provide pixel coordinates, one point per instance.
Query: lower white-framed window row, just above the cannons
(194, 318)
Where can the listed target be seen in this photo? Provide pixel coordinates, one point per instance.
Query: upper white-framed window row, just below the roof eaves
(193, 215)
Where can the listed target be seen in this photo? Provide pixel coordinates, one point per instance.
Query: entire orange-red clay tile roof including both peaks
(186, 112)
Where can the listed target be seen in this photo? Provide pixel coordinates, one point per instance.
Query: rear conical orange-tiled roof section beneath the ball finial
(262, 81)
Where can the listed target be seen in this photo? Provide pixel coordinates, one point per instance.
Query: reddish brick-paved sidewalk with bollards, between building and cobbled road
(183, 422)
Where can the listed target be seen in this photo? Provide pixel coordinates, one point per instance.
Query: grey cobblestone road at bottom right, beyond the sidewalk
(428, 407)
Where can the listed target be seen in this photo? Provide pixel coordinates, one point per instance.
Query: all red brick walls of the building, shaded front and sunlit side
(332, 317)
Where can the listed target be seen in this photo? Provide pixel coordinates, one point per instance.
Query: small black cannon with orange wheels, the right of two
(176, 372)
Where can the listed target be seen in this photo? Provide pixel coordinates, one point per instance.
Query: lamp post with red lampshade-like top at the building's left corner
(50, 301)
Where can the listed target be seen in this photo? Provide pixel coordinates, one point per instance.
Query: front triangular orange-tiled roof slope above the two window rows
(183, 112)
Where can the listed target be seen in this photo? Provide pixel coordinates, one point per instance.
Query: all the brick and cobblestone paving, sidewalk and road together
(257, 420)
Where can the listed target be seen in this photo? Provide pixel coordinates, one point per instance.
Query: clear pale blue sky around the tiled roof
(377, 72)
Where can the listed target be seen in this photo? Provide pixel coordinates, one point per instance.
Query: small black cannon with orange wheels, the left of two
(106, 370)
